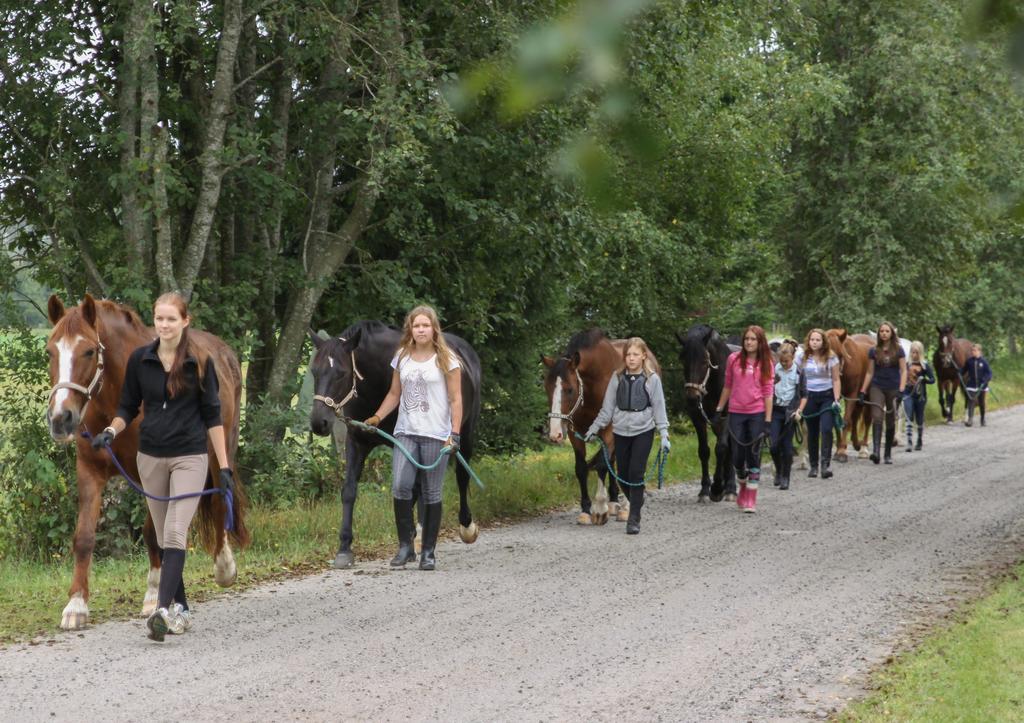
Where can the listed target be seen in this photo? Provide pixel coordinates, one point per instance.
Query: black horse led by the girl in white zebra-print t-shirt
(352, 376)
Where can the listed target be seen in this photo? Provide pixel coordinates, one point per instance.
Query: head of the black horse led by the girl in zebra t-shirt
(335, 379)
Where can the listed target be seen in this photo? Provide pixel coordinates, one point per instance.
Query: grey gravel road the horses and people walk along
(708, 615)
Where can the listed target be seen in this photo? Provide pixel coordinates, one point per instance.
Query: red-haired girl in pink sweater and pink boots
(749, 390)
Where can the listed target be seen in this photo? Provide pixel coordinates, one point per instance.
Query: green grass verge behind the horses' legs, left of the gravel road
(305, 540)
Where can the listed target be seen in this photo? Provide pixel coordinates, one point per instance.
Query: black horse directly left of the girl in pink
(704, 355)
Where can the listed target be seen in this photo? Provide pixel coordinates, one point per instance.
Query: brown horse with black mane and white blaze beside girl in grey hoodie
(576, 385)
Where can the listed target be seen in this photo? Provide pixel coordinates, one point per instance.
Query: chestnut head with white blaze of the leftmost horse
(76, 365)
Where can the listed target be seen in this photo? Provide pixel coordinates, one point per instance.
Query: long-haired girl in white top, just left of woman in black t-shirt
(821, 400)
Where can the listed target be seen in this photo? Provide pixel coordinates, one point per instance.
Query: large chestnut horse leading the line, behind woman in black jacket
(89, 350)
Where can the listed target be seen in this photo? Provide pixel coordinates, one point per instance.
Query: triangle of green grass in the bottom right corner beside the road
(971, 671)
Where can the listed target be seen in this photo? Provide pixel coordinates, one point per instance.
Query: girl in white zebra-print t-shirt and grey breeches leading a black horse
(426, 387)
